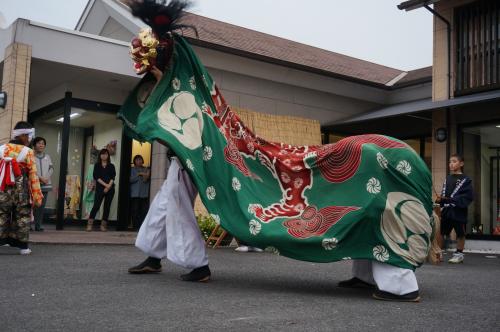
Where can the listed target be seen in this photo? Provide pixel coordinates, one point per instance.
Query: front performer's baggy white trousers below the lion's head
(170, 229)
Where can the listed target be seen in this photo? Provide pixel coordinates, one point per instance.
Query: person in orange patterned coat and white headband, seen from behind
(19, 188)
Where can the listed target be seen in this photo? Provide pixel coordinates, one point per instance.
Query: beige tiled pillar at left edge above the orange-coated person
(16, 82)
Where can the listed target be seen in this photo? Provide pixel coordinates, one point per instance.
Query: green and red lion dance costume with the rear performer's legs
(366, 198)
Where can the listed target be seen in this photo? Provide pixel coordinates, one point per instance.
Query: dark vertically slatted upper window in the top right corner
(477, 47)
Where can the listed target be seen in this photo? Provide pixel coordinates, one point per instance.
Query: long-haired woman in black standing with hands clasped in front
(104, 175)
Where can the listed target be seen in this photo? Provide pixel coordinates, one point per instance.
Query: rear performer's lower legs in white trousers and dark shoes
(393, 283)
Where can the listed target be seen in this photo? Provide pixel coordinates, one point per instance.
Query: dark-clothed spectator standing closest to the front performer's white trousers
(139, 191)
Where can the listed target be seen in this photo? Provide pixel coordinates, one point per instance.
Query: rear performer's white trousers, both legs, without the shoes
(388, 278)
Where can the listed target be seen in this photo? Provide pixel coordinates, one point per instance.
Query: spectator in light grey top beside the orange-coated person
(44, 170)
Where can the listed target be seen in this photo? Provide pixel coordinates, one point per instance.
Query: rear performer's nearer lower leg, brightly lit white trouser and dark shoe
(395, 283)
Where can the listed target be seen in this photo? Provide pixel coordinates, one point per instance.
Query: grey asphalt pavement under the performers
(87, 288)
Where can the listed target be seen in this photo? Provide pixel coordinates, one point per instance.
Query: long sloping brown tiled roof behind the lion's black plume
(265, 46)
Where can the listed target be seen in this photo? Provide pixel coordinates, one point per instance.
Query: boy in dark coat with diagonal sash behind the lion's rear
(455, 197)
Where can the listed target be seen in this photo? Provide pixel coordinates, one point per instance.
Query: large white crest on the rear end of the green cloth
(406, 222)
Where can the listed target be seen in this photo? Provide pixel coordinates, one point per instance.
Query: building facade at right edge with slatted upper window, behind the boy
(466, 66)
